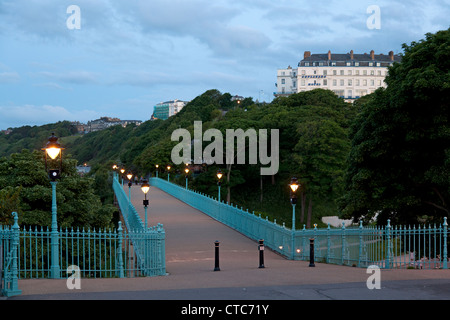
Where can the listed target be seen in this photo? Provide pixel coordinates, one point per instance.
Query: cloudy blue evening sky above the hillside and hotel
(128, 55)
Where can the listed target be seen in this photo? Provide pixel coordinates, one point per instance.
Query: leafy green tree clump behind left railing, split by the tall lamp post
(25, 188)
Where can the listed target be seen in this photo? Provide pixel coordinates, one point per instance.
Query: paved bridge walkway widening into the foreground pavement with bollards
(190, 237)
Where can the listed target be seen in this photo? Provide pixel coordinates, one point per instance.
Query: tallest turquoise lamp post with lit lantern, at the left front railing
(53, 150)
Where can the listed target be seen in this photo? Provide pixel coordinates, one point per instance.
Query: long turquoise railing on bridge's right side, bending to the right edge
(385, 246)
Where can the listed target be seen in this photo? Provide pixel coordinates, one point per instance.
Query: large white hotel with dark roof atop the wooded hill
(348, 75)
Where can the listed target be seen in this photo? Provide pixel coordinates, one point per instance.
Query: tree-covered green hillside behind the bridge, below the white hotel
(313, 146)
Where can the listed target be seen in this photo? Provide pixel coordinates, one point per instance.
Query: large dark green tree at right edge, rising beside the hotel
(399, 165)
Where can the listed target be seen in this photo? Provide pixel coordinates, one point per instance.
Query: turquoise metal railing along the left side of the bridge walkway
(148, 243)
